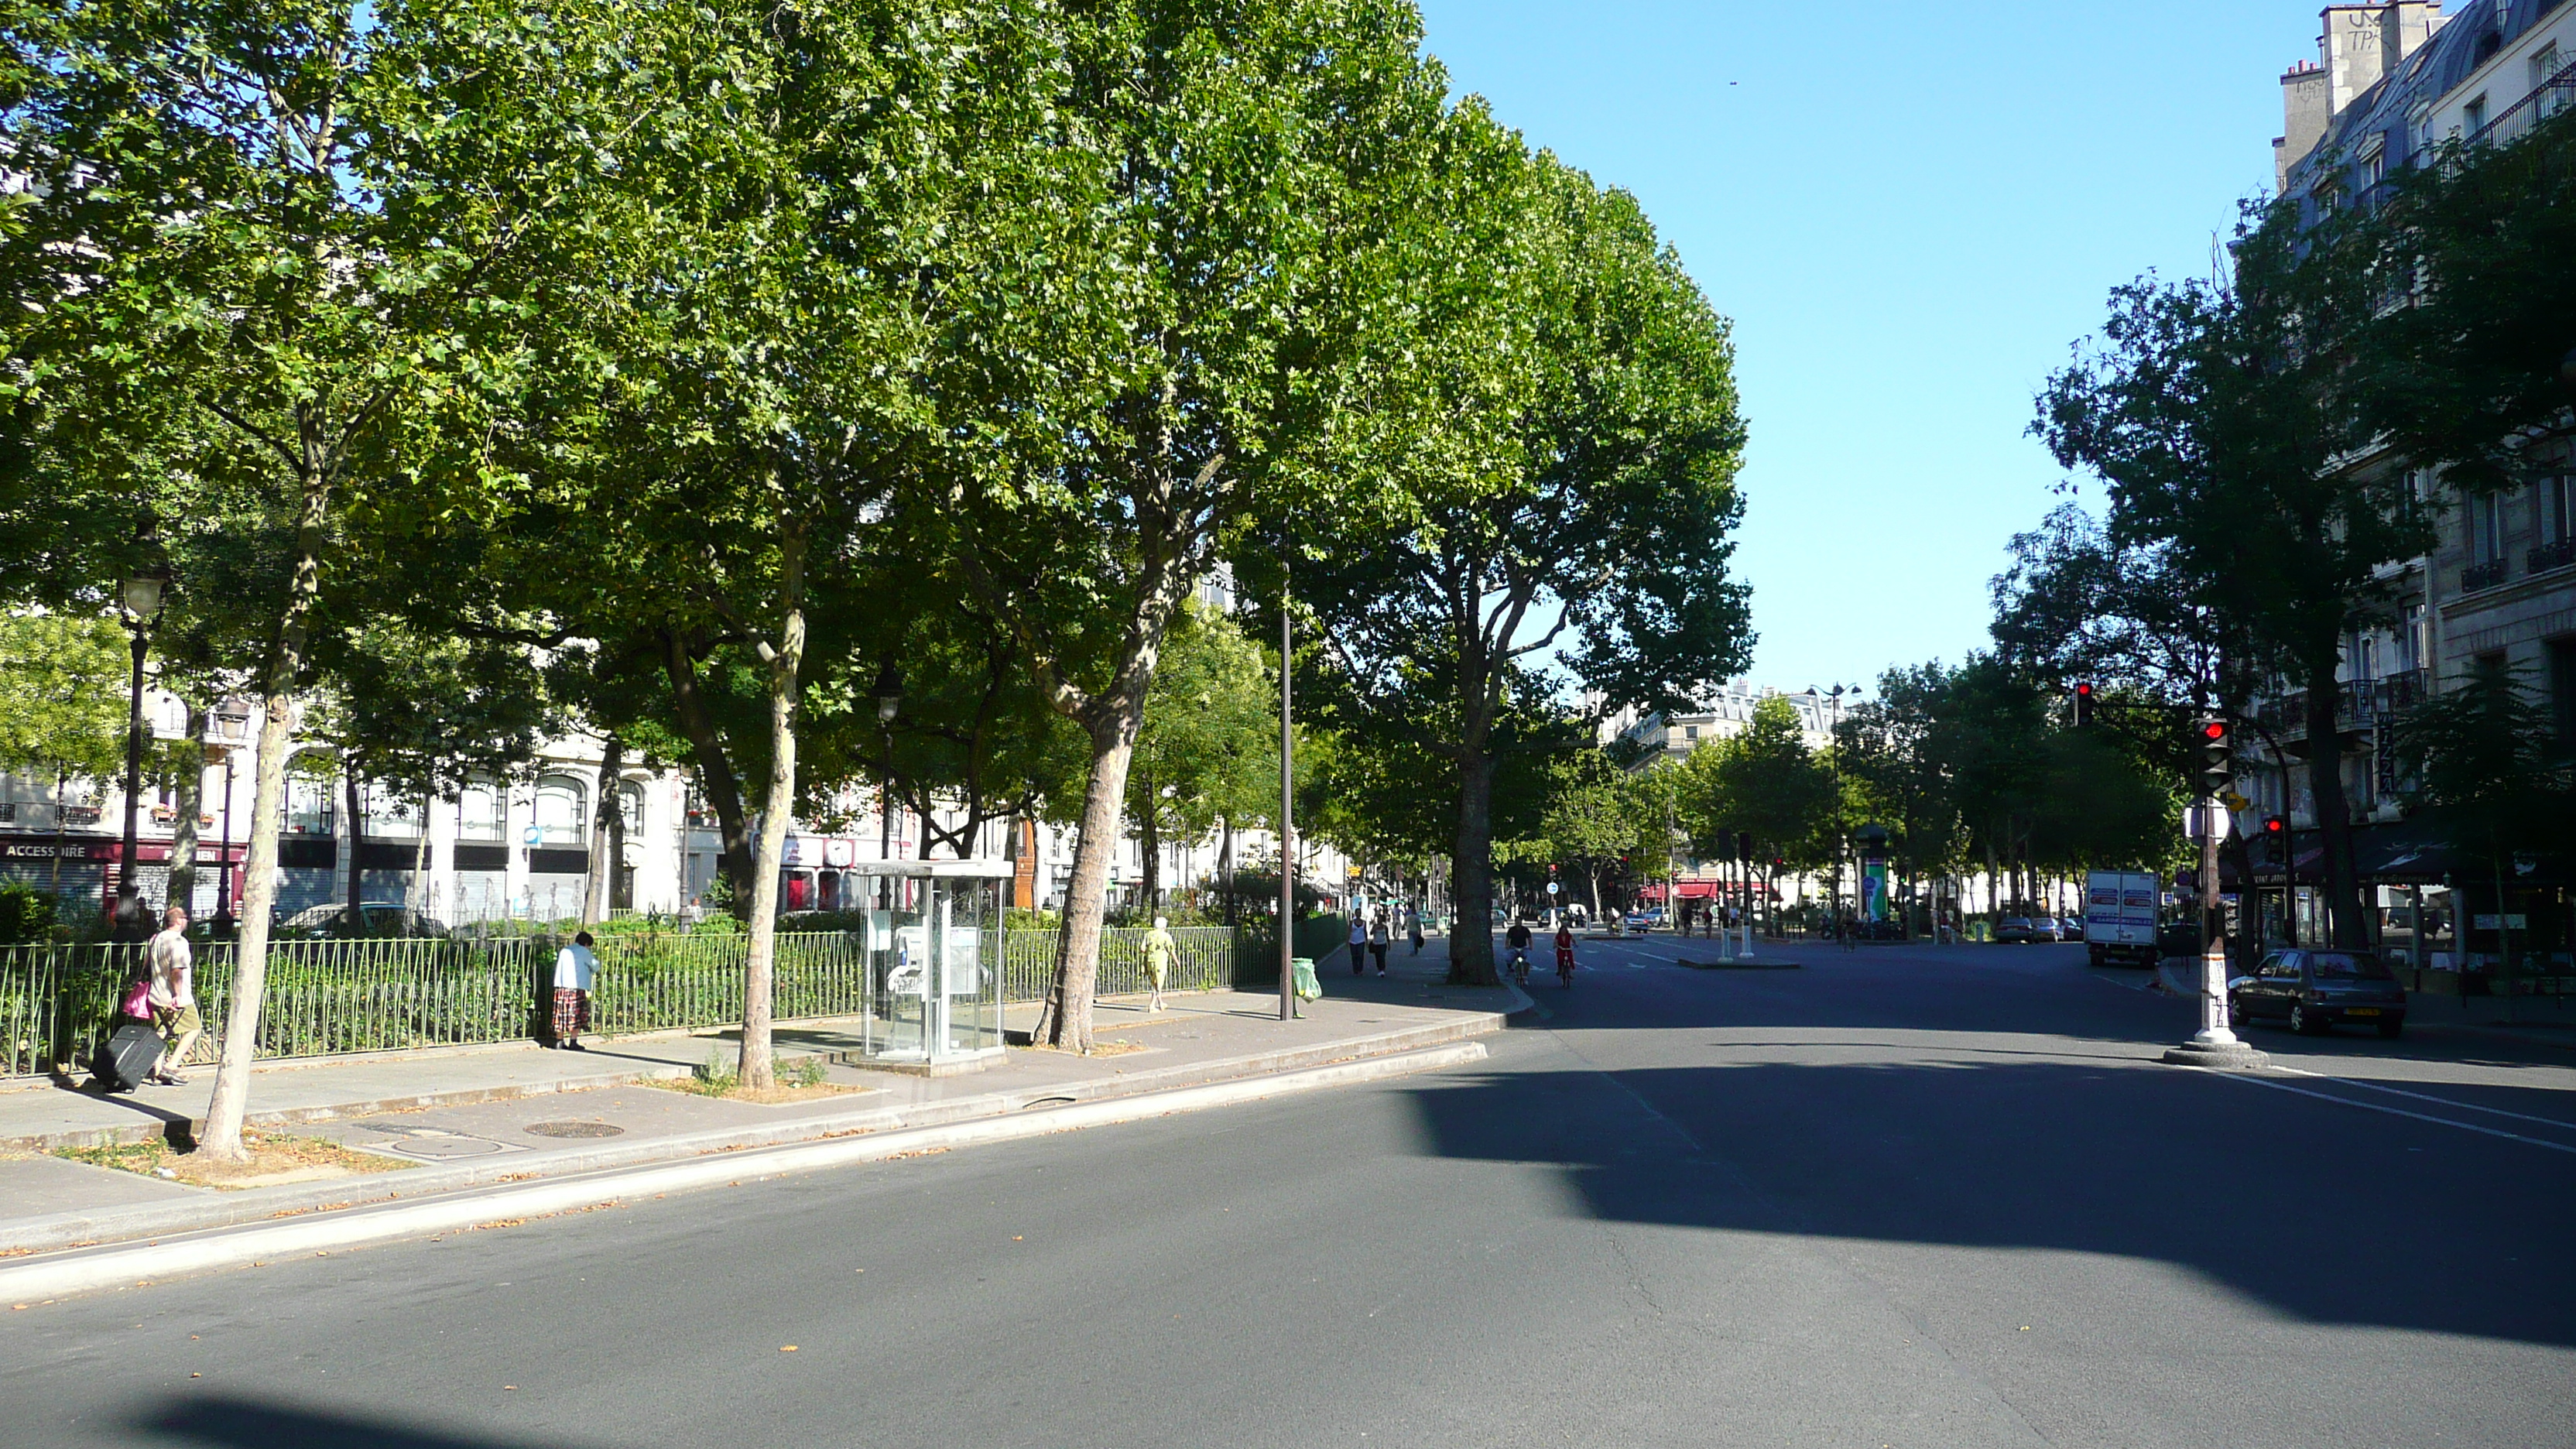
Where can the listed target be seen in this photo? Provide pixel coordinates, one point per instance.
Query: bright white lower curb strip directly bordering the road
(156, 1262)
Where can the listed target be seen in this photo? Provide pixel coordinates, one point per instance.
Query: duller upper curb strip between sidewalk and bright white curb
(341, 1195)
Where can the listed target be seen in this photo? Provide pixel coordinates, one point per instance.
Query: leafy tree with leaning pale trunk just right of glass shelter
(1148, 357)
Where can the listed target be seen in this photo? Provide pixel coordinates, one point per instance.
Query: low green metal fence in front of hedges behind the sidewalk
(331, 999)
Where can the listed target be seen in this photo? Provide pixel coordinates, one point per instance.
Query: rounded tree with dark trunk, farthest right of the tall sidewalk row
(1565, 473)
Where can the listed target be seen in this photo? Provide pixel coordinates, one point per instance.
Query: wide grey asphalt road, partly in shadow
(1900, 1198)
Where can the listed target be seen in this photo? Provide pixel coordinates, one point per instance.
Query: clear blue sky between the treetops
(1910, 213)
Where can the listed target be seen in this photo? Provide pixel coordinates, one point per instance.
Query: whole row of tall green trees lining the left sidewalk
(712, 373)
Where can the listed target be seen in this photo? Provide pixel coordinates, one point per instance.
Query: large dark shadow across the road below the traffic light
(2315, 1208)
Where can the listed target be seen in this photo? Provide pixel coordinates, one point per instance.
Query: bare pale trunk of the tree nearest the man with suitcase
(231, 1100)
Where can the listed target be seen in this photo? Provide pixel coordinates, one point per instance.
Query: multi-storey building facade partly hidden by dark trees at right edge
(2392, 86)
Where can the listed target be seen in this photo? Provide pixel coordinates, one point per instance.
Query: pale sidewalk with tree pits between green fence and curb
(468, 1118)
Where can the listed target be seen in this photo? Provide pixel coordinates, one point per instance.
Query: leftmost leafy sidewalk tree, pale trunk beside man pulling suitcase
(225, 213)
